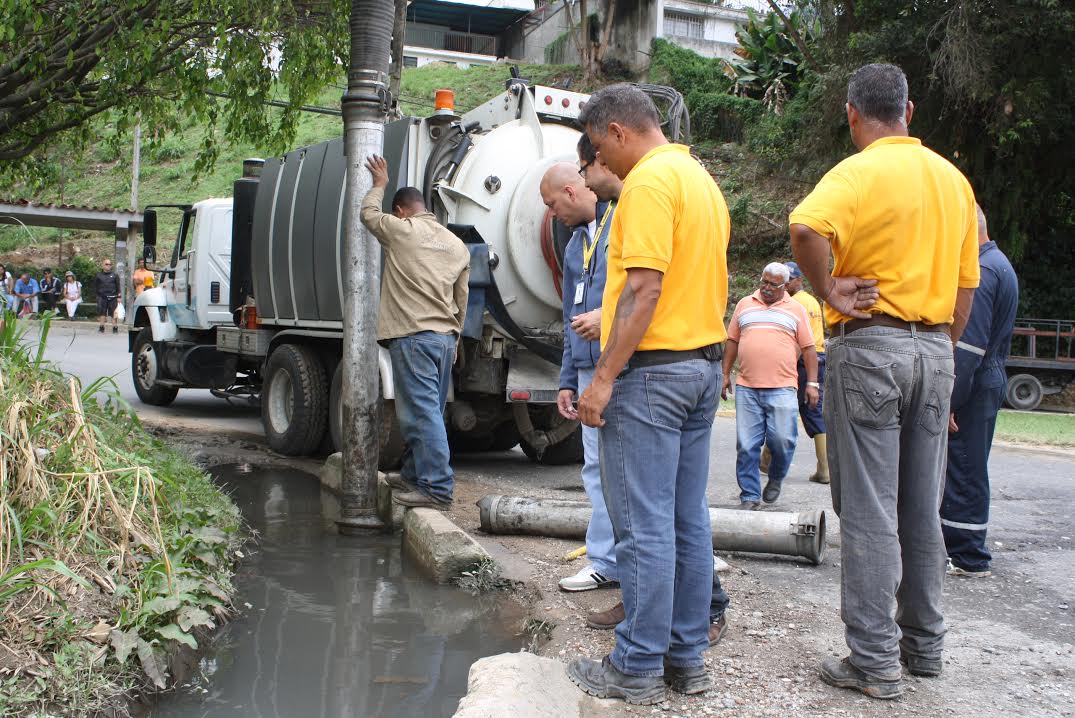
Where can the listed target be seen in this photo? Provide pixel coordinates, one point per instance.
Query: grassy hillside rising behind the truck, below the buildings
(759, 199)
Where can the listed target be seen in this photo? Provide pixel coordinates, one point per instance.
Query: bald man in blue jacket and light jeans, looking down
(565, 193)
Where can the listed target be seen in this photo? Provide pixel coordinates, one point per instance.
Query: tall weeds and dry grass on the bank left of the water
(112, 547)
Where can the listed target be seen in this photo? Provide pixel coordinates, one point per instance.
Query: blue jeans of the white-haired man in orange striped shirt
(764, 417)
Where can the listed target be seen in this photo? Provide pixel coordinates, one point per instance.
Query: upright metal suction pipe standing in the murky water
(365, 108)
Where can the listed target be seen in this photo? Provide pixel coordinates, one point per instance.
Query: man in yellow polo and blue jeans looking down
(654, 396)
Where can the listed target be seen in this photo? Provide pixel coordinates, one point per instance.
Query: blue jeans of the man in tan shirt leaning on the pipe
(422, 371)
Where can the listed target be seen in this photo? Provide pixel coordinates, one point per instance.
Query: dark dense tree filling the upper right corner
(994, 93)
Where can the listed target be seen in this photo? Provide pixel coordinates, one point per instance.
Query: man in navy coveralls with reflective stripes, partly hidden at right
(981, 354)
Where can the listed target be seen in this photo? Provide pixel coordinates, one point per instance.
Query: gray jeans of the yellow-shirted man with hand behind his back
(888, 393)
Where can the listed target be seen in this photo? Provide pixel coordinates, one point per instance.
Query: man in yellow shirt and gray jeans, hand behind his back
(900, 221)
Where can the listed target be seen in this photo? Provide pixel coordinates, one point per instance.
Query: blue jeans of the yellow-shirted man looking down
(655, 458)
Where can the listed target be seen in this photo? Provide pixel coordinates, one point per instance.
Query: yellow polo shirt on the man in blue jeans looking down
(672, 218)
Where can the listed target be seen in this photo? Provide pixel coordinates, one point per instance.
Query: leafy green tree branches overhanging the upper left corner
(65, 63)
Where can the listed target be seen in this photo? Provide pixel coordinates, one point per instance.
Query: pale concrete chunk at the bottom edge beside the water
(525, 686)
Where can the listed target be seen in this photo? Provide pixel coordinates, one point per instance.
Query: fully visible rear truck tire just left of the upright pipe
(295, 400)
